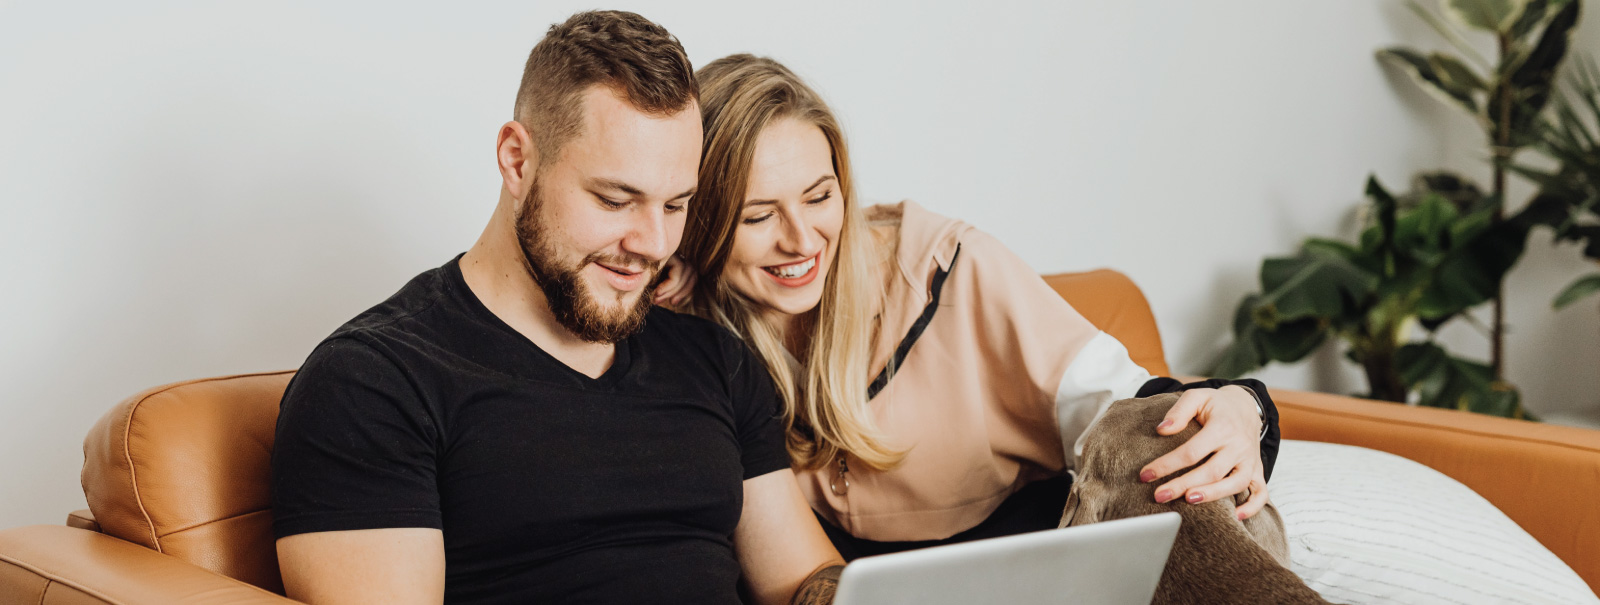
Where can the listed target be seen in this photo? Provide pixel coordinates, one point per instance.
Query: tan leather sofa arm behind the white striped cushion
(1546, 478)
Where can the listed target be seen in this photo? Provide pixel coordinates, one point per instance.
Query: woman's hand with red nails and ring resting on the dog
(1230, 435)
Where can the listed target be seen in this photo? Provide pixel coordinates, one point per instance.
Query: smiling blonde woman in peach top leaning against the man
(935, 387)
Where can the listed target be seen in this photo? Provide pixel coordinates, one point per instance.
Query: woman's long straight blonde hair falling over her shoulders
(826, 409)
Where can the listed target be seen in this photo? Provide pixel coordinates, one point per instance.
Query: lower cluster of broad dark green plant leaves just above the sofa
(1423, 260)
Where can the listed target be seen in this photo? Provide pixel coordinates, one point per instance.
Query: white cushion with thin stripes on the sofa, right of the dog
(1370, 527)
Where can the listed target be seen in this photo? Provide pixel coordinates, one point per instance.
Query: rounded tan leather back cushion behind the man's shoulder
(185, 470)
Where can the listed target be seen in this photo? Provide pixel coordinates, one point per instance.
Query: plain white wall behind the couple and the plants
(191, 190)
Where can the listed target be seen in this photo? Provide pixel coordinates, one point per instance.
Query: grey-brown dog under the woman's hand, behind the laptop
(1217, 559)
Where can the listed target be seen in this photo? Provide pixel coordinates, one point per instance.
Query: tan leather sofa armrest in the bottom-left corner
(46, 564)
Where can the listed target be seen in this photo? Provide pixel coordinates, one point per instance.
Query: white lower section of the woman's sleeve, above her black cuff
(1100, 375)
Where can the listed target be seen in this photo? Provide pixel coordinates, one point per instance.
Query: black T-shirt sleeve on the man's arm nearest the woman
(758, 412)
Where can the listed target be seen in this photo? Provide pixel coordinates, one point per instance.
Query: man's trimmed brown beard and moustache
(575, 307)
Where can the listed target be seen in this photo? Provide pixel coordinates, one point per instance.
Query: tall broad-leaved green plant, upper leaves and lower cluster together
(1433, 255)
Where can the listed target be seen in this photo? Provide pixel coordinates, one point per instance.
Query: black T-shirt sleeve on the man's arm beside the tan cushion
(356, 449)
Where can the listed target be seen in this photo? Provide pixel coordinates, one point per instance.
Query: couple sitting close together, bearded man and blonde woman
(529, 423)
